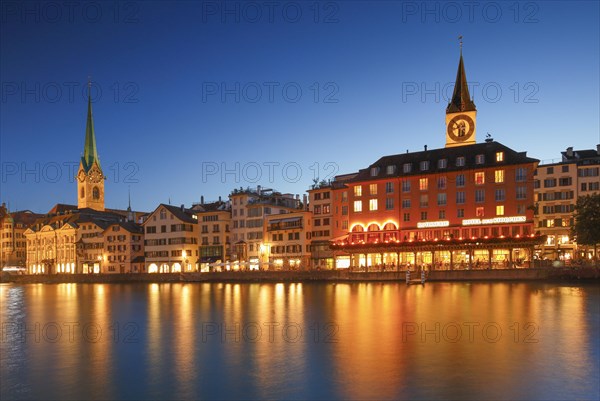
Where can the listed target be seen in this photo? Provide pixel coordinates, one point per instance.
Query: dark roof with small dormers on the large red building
(469, 152)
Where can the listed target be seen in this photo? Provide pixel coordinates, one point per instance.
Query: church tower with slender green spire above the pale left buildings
(90, 179)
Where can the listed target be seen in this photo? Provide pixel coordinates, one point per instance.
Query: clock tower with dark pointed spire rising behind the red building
(461, 113)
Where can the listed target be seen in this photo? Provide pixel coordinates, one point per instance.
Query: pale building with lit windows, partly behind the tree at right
(557, 188)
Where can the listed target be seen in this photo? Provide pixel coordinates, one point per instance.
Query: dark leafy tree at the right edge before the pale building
(586, 229)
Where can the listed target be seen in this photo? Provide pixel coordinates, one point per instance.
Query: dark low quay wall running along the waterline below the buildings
(497, 275)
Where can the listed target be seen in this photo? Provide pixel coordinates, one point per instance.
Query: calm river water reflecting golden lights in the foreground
(479, 341)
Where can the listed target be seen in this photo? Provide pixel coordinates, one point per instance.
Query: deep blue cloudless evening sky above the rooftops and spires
(197, 98)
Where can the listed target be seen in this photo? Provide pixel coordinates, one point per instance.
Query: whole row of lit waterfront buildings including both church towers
(466, 205)
